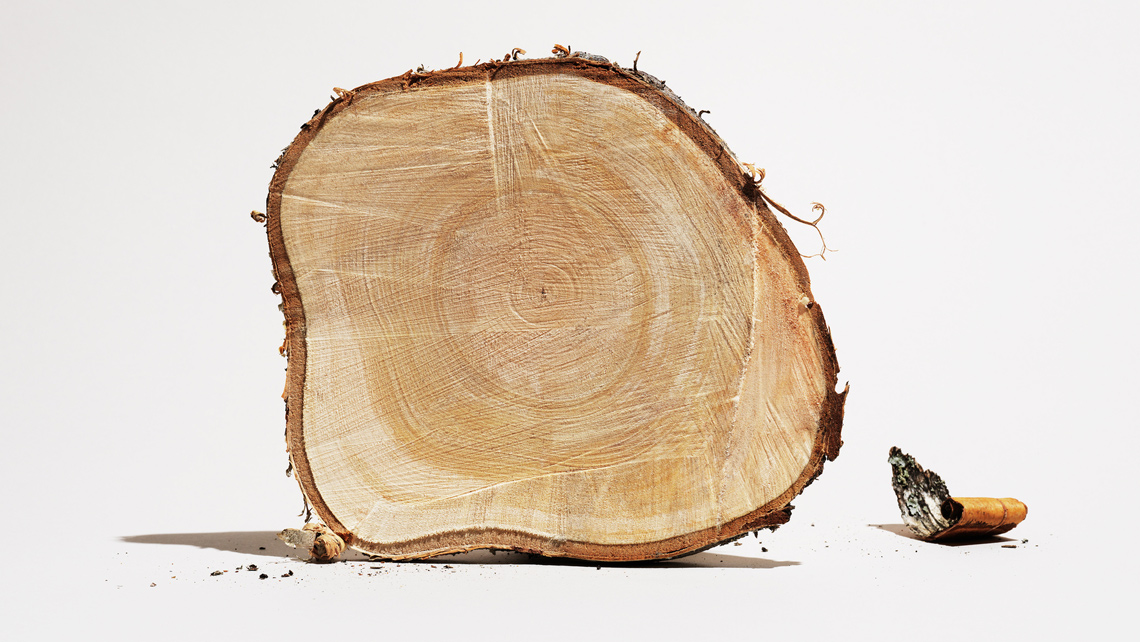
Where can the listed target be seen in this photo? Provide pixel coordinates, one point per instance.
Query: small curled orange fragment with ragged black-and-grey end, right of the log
(933, 515)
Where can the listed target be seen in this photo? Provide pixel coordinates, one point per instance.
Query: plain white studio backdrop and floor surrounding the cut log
(979, 162)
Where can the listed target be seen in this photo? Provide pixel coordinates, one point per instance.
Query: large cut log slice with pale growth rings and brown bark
(540, 306)
